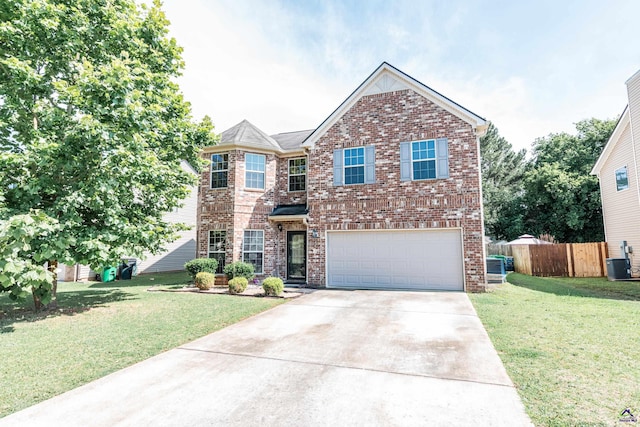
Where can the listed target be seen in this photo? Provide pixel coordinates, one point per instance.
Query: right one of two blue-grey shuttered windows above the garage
(428, 159)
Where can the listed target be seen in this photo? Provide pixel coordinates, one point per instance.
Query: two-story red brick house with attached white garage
(385, 193)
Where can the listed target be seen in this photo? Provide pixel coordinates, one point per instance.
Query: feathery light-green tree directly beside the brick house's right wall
(502, 187)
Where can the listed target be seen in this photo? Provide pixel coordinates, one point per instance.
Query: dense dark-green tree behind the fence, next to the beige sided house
(561, 197)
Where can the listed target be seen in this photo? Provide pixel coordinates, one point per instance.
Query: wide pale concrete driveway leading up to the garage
(330, 358)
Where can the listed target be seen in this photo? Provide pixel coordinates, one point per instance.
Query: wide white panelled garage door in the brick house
(415, 259)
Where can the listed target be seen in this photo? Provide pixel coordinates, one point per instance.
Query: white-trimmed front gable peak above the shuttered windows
(387, 78)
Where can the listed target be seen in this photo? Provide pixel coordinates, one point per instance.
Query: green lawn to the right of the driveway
(570, 345)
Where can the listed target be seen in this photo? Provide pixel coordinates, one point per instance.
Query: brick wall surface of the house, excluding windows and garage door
(383, 120)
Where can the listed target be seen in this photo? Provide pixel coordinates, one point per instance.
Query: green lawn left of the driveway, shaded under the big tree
(103, 327)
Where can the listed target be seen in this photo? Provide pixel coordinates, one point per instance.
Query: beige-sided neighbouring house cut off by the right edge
(617, 171)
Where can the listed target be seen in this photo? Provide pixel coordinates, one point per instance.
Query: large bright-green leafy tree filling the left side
(92, 131)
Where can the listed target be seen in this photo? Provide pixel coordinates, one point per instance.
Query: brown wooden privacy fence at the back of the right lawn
(561, 259)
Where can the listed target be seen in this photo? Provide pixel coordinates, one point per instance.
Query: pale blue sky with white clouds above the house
(531, 67)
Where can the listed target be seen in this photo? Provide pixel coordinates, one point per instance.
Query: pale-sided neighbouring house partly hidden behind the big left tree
(177, 253)
